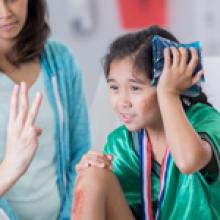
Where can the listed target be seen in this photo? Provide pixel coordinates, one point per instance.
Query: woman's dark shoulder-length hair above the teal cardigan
(30, 41)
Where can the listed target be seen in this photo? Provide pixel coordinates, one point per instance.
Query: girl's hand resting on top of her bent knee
(95, 159)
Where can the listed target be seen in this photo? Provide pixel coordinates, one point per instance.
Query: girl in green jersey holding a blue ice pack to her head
(166, 156)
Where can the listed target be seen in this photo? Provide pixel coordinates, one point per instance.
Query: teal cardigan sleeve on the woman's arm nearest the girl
(79, 128)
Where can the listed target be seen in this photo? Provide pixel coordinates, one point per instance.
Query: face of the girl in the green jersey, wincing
(132, 97)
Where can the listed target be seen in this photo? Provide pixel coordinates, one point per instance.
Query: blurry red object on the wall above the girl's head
(141, 13)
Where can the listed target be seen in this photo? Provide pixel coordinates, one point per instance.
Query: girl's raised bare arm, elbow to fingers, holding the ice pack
(189, 151)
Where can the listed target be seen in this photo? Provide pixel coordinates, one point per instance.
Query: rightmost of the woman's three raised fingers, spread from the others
(32, 115)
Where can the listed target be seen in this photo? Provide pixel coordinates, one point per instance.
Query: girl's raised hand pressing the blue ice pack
(177, 75)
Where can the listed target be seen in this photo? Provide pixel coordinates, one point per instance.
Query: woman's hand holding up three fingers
(22, 133)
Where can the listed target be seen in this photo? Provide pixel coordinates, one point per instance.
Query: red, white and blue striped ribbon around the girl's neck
(145, 157)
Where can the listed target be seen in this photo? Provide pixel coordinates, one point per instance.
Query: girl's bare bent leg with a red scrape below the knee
(98, 196)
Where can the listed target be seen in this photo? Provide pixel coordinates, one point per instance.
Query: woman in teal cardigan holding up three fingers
(37, 174)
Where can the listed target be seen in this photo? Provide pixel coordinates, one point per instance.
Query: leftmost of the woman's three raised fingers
(14, 104)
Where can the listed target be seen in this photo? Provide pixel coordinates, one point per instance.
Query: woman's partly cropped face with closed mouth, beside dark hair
(13, 14)
